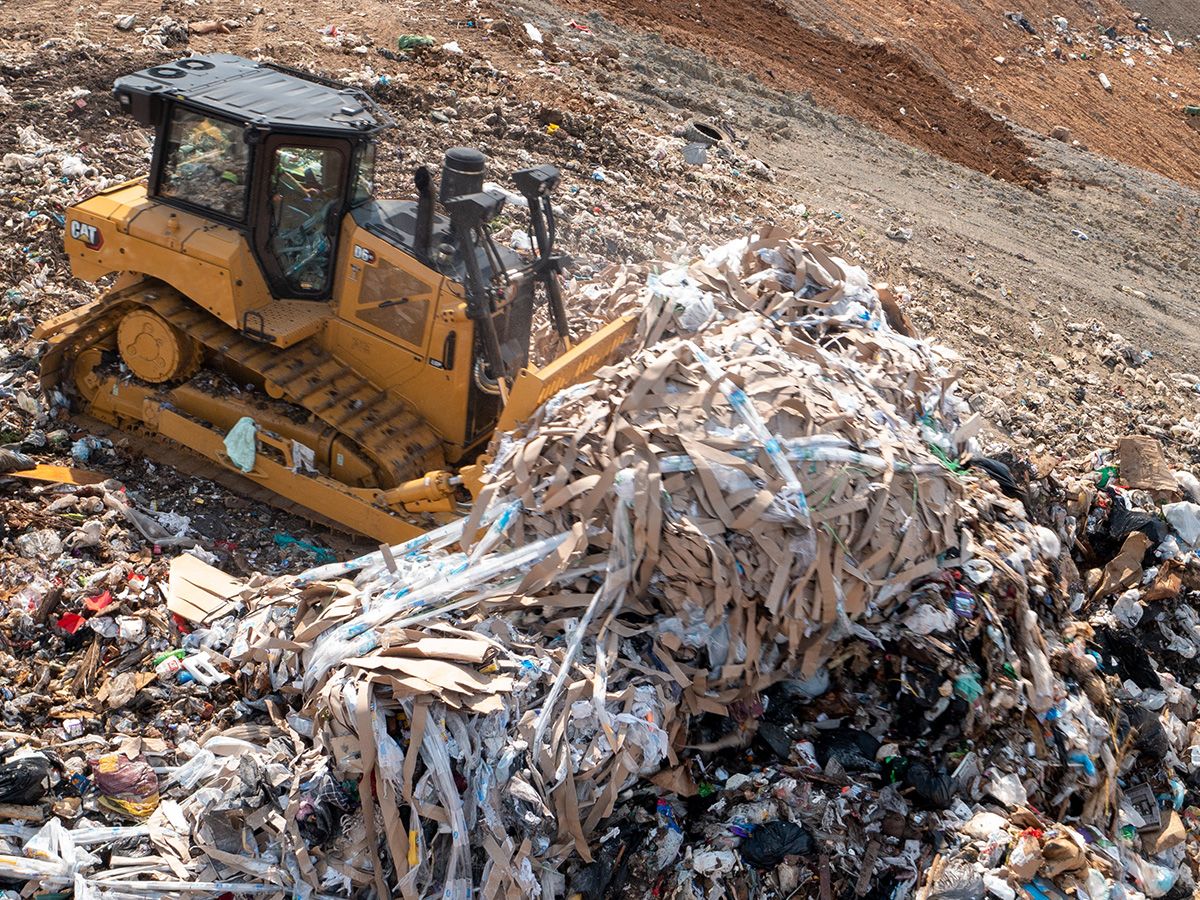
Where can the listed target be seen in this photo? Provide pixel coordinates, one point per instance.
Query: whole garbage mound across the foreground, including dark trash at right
(747, 615)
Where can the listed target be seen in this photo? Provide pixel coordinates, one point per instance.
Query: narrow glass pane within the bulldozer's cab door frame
(307, 185)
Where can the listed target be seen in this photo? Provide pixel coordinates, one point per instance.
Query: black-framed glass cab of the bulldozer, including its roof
(278, 154)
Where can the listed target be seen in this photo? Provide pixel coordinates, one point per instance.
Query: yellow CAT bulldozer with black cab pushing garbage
(351, 356)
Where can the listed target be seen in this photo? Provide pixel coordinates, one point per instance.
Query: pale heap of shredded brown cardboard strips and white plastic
(757, 482)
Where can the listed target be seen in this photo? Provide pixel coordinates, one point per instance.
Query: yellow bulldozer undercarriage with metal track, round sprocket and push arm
(328, 439)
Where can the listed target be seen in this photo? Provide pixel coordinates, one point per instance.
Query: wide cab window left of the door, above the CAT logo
(206, 164)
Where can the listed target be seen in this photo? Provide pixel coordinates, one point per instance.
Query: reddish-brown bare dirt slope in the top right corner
(927, 71)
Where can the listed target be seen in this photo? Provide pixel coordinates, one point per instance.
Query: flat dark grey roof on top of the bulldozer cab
(259, 94)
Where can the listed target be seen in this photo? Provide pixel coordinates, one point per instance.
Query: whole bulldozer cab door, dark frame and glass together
(302, 201)
